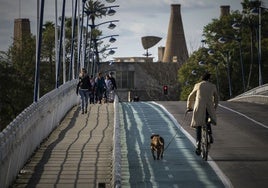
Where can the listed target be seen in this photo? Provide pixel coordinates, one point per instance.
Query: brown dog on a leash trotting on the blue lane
(157, 144)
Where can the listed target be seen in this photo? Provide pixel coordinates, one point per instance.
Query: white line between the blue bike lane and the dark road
(225, 180)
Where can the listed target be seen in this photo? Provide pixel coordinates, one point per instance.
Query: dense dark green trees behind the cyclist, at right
(222, 27)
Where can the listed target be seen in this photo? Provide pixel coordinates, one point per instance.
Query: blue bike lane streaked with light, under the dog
(180, 166)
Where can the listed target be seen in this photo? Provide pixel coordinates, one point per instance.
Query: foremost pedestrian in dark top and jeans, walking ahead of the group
(83, 88)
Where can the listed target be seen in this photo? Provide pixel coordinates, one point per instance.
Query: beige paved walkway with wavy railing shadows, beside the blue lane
(77, 154)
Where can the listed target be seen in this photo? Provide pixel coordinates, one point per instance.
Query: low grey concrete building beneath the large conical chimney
(145, 80)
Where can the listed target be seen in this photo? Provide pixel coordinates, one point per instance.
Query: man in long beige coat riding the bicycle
(204, 96)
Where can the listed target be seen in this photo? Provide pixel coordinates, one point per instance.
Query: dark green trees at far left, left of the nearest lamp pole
(16, 79)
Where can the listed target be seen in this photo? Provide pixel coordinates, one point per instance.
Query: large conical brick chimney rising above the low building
(175, 49)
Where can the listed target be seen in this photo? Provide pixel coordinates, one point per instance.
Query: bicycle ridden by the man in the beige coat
(205, 139)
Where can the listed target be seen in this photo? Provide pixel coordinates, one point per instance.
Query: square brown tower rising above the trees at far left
(21, 31)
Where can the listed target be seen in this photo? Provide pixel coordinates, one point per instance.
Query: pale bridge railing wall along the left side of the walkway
(23, 135)
